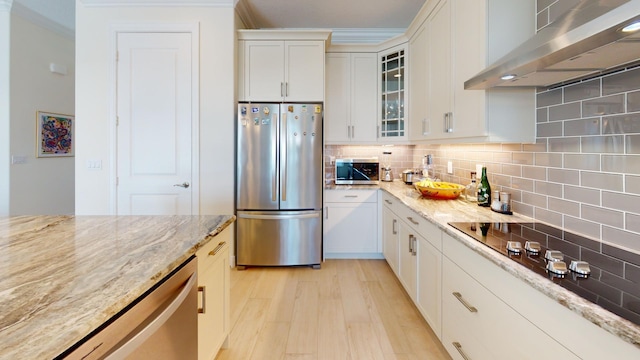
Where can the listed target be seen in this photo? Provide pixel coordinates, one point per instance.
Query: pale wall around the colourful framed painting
(40, 185)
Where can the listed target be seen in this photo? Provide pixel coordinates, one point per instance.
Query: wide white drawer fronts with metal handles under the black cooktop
(475, 321)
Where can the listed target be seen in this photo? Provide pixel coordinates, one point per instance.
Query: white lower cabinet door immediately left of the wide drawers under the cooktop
(430, 284)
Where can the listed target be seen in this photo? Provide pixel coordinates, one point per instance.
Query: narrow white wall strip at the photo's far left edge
(5, 27)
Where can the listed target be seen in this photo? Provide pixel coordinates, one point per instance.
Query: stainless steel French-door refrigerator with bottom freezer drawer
(279, 185)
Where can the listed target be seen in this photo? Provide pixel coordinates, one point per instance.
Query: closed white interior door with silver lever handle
(154, 106)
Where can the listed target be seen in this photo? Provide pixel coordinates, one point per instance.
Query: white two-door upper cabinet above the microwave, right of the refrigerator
(350, 107)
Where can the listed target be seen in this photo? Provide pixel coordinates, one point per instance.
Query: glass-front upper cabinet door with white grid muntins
(392, 93)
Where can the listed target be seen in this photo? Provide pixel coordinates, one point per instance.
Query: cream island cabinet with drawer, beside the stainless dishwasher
(213, 288)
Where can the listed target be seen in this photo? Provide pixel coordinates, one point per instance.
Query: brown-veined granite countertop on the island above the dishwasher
(63, 276)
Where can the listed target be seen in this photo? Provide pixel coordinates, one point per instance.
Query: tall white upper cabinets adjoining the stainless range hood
(456, 40)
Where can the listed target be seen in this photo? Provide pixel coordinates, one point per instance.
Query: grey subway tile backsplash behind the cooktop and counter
(583, 172)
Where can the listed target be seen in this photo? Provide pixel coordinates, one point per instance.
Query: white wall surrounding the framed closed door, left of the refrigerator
(95, 125)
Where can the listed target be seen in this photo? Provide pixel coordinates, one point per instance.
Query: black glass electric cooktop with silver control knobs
(605, 275)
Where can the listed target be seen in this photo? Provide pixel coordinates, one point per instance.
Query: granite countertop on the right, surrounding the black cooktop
(440, 212)
